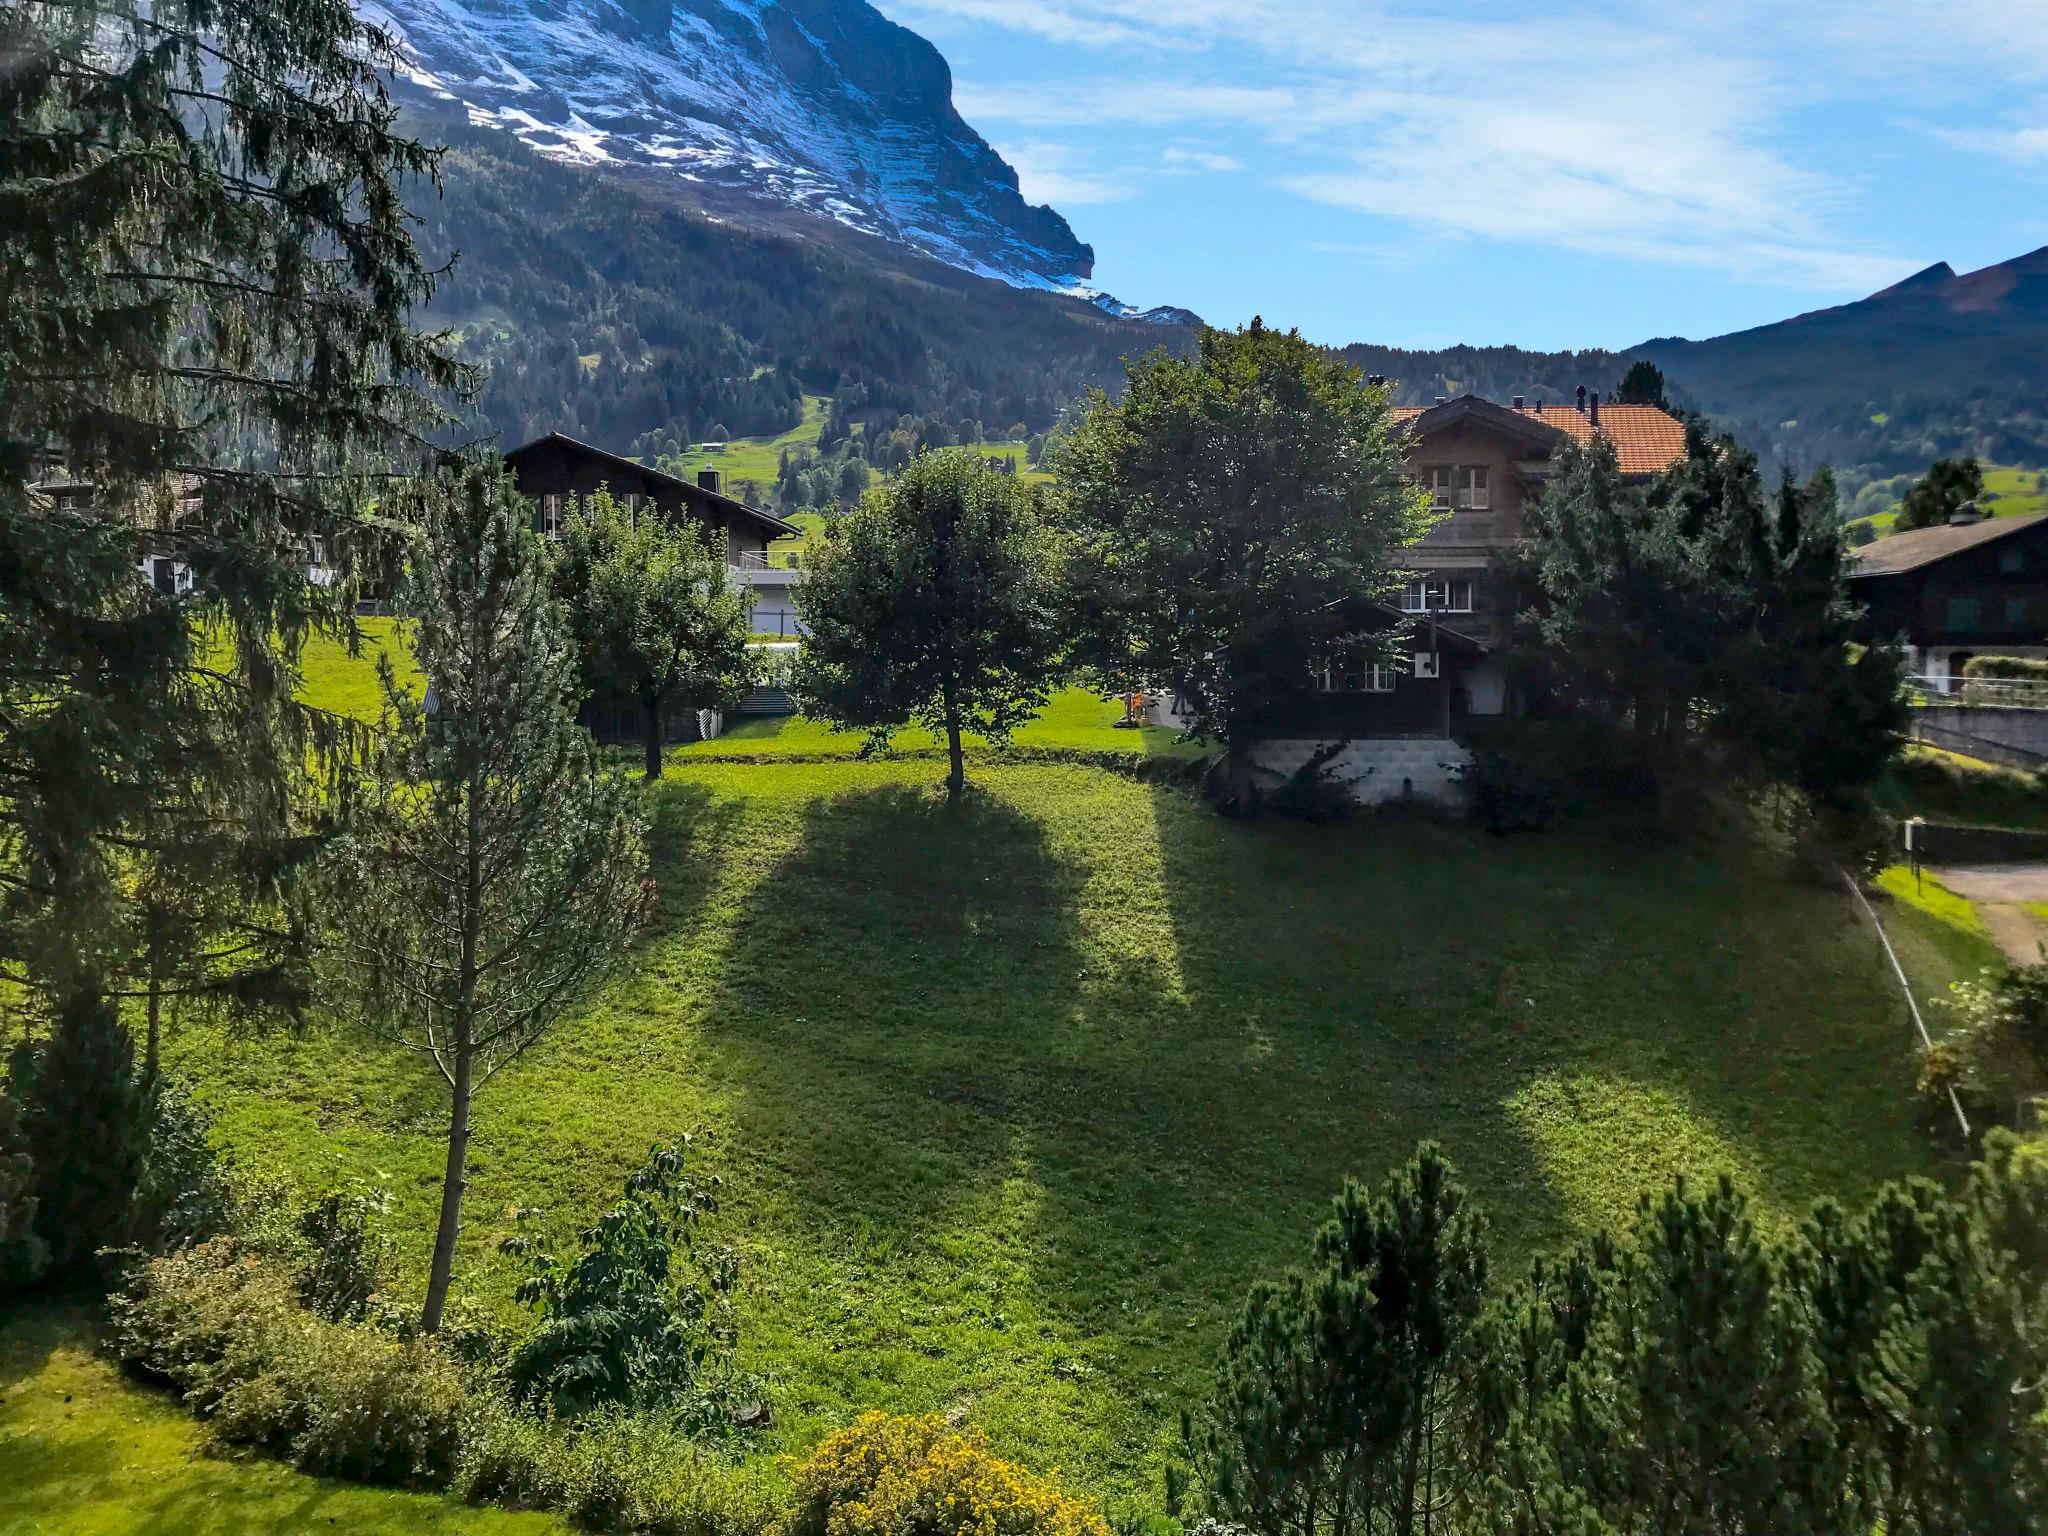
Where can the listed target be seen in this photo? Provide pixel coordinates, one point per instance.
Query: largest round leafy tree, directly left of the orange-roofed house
(1236, 507)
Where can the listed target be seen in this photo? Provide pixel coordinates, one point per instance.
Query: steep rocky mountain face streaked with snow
(816, 105)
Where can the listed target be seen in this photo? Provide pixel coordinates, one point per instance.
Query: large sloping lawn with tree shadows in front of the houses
(1013, 1105)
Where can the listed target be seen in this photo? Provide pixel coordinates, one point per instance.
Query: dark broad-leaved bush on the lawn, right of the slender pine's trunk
(638, 1314)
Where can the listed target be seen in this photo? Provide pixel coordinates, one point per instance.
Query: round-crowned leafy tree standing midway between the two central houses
(935, 603)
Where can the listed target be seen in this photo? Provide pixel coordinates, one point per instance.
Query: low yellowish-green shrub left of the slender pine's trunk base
(226, 1330)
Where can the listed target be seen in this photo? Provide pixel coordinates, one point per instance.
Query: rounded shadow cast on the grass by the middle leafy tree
(888, 1009)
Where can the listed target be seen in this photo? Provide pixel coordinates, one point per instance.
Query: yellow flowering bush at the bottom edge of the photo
(919, 1478)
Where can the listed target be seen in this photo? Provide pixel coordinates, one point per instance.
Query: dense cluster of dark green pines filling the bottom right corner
(1697, 1373)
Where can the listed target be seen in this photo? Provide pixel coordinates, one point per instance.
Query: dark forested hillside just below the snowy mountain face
(611, 312)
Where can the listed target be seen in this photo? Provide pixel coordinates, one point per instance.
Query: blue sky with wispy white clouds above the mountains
(1545, 175)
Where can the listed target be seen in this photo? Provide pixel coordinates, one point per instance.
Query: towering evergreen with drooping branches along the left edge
(206, 351)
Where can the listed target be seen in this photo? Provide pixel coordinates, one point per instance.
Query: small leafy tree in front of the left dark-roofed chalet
(654, 613)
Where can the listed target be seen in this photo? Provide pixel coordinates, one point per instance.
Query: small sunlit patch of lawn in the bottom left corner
(85, 1453)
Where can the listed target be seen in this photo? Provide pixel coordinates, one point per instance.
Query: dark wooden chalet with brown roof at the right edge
(1957, 593)
